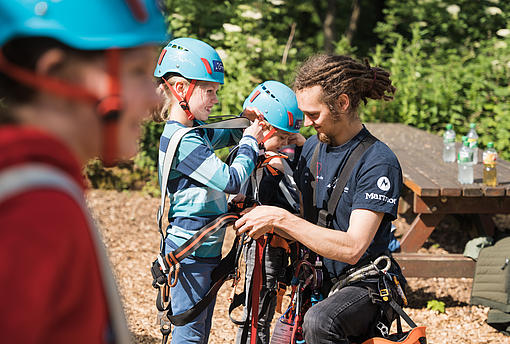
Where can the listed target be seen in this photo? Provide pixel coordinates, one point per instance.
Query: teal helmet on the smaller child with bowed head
(278, 104)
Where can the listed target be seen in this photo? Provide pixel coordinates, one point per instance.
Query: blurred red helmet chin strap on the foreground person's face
(107, 108)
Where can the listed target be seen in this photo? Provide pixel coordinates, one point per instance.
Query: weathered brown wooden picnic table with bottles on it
(437, 193)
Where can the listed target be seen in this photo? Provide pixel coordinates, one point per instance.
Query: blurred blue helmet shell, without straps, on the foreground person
(84, 24)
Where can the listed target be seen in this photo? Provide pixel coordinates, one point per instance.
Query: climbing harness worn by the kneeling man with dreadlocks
(376, 270)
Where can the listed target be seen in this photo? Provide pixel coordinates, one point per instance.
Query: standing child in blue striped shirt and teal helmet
(190, 73)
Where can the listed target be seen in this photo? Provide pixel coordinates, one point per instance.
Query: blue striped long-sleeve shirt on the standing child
(199, 180)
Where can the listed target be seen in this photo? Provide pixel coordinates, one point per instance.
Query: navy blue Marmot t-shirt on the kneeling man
(375, 184)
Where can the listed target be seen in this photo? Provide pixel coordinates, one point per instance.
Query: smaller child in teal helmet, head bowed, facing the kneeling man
(272, 184)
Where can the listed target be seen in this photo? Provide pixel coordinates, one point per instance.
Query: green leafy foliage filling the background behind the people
(449, 59)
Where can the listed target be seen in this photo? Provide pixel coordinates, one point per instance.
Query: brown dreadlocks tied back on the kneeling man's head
(338, 74)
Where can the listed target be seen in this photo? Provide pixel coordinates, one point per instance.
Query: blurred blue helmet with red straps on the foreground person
(108, 25)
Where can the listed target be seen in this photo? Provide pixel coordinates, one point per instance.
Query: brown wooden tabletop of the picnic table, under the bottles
(425, 173)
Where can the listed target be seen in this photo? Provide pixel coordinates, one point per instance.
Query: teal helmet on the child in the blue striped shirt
(192, 59)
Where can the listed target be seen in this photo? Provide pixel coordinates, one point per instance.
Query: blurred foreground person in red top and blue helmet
(75, 83)
